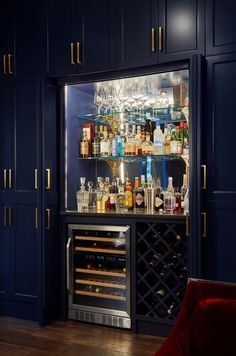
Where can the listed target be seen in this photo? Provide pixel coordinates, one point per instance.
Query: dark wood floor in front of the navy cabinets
(19, 338)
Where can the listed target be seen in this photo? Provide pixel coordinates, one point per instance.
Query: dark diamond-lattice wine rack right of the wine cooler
(161, 269)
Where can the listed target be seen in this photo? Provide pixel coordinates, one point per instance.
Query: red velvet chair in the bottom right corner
(206, 324)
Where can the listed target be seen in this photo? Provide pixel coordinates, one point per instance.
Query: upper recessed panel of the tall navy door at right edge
(221, 122)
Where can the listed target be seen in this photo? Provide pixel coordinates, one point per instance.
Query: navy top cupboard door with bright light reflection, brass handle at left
(181, 31)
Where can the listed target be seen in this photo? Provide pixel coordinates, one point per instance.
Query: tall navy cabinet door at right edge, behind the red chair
(220, 262)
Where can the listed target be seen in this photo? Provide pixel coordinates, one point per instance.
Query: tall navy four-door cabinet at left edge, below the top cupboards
(19, 198)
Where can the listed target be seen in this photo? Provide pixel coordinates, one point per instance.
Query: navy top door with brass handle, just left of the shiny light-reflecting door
(136, 38)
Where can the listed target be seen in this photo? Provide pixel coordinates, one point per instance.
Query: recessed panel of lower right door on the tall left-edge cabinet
(25, 250)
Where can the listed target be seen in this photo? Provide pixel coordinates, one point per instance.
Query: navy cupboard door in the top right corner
(220, 26)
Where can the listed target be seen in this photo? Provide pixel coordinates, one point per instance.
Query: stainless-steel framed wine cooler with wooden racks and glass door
(98, 274)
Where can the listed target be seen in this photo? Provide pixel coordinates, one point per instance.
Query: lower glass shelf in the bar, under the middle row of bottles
(138, 158)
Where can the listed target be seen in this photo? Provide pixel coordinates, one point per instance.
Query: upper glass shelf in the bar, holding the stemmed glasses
(172, 114)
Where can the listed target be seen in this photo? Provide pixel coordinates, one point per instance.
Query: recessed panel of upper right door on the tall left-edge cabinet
(26, 145)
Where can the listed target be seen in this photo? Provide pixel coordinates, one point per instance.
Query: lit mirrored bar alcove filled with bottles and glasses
(127, 145)
